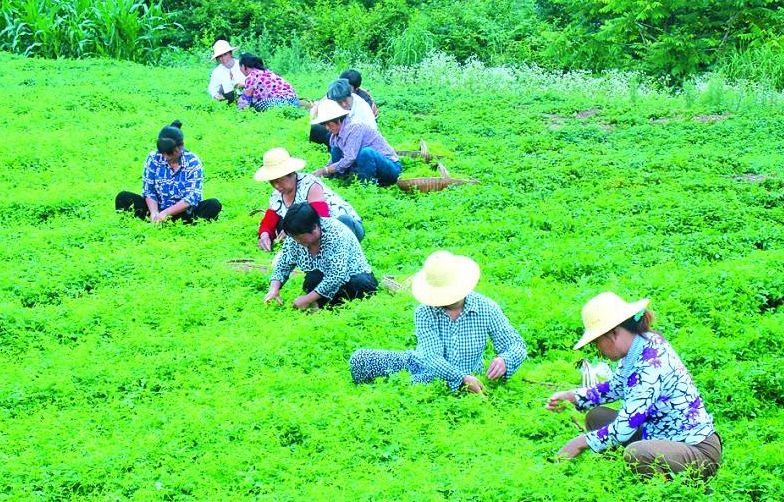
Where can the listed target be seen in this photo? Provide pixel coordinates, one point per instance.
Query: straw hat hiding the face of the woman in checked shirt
(444, 279)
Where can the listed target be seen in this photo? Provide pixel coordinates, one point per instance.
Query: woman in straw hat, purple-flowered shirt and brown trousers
(663, 422)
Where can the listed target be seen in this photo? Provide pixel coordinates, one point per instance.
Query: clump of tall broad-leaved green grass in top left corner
(123, 29)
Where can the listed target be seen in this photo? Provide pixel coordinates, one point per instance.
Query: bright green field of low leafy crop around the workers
(138, 365)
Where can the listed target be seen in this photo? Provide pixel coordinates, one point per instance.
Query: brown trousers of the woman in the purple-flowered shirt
(648, 457)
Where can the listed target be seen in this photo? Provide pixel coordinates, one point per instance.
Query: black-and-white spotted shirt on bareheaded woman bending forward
(339, 257)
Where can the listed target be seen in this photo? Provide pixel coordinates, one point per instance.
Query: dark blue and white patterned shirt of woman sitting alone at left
(166, 187)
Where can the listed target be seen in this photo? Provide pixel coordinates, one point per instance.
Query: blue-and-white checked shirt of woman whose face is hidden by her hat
(450, 350)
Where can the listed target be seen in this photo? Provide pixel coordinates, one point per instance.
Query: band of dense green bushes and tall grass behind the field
(668, 39)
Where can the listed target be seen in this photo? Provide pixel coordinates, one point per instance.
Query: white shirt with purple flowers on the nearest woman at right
(658, 395)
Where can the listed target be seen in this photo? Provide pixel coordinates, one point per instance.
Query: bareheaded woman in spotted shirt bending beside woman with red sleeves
(328, 252)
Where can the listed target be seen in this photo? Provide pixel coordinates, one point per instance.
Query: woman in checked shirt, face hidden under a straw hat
(452, 326)
